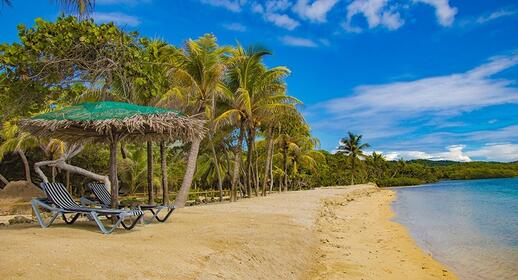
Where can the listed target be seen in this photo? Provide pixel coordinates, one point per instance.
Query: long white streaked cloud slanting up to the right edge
(441, 95)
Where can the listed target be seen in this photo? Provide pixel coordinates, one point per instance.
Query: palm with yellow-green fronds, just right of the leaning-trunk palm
(253, 93)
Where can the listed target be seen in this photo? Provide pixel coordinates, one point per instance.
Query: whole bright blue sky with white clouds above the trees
(432, 79)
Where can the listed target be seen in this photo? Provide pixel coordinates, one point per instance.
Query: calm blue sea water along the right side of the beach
(470, 225)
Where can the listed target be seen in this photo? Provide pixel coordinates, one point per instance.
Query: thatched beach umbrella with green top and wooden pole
(113, 122)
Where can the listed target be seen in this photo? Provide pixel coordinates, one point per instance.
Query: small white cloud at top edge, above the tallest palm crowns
(272, 12)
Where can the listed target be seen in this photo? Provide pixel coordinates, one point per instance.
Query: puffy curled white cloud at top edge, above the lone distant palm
(376, 12)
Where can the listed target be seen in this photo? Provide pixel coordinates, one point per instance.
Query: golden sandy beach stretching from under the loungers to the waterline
(332, 233)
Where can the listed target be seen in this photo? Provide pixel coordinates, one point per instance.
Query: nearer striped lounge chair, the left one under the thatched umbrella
(59, 201)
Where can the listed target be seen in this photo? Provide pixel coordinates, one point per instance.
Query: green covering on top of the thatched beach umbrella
(99, 111)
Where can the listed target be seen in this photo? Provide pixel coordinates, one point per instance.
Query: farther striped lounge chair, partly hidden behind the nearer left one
(104, 199)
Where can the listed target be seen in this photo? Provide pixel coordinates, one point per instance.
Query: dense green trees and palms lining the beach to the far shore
(257, 140)
